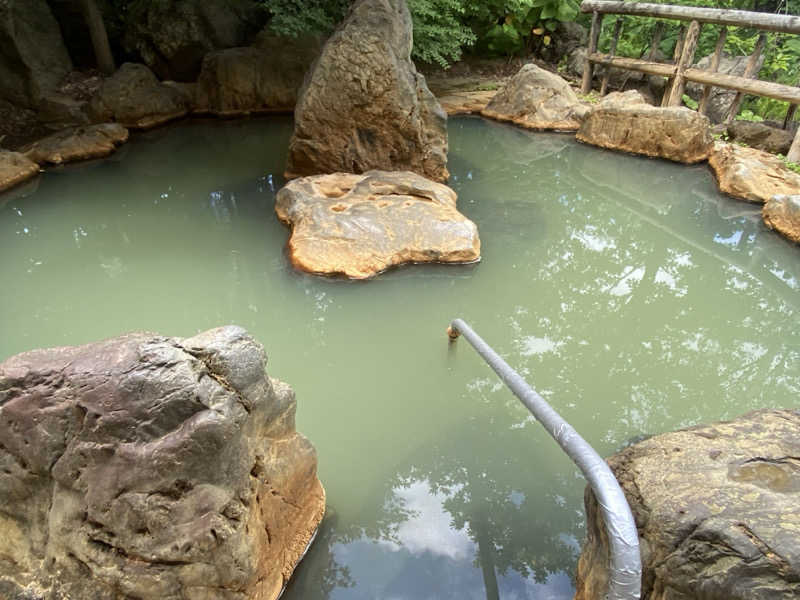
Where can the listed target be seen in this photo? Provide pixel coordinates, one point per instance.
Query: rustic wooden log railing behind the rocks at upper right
(681, 70)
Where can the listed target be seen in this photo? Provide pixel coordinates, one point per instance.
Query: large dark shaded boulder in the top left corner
(33, 58)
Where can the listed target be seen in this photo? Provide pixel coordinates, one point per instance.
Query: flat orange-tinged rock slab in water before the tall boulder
(360, 225)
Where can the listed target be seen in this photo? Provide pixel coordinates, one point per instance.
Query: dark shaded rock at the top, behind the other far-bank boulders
(173, 36)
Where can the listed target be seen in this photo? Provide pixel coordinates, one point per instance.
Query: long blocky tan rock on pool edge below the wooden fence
(677, 134)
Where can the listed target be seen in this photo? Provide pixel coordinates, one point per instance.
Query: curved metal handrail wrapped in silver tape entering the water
(625, 576)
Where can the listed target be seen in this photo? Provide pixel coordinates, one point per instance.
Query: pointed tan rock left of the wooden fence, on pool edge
(536, 99)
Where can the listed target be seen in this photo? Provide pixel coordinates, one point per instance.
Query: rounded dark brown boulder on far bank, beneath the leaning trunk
(134, 98)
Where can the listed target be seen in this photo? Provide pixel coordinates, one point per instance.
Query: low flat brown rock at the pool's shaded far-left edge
(77, 143)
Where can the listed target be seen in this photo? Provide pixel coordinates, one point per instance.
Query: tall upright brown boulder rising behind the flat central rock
(365, 106)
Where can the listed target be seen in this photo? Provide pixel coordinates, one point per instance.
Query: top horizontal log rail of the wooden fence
(737, 18)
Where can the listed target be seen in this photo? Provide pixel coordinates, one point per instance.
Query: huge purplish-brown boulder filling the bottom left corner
(153, 468)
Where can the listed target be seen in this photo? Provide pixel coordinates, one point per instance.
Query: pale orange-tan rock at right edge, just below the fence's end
(750, 174)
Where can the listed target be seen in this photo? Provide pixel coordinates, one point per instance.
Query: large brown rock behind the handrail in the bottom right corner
(716, 510)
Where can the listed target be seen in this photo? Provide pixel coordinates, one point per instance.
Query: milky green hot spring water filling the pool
(632, 296)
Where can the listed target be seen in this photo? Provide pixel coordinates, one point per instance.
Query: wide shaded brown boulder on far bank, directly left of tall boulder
(264, 78)
